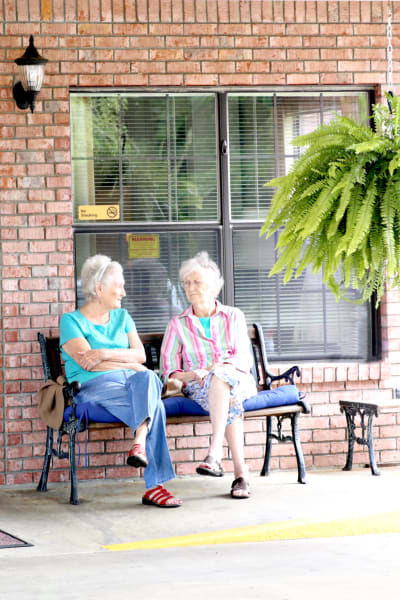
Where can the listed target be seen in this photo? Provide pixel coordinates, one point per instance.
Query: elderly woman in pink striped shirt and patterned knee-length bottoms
(207, 348)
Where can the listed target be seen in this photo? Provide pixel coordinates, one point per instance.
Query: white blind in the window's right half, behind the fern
(302, 318)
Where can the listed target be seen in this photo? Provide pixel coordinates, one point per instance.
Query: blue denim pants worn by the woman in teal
(133, 397)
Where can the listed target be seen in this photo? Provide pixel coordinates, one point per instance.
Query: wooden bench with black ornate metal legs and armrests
(52, 367)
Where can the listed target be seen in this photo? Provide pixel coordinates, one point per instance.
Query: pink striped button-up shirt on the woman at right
(186, 347)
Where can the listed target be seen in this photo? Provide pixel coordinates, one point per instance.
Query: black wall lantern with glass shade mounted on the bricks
(31, 66)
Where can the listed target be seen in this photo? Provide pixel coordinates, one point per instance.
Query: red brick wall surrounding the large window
(160, 43)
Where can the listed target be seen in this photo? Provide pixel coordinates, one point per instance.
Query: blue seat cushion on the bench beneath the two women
(179, 405)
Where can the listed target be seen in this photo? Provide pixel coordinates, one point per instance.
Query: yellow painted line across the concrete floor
(283, 530)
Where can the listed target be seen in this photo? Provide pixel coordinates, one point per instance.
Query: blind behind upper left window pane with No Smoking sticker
(153, 155)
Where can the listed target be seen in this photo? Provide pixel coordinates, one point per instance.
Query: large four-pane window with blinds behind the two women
(158, 177)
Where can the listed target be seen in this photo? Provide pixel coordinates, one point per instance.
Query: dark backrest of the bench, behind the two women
(52, 365)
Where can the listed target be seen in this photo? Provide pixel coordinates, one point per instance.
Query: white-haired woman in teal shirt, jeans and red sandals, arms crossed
(103, 351)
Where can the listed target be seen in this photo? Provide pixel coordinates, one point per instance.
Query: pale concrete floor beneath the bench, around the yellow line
(68, 558)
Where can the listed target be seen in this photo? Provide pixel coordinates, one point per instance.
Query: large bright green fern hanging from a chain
(338, 208)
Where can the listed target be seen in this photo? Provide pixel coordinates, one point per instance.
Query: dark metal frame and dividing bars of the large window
(226, 224)
